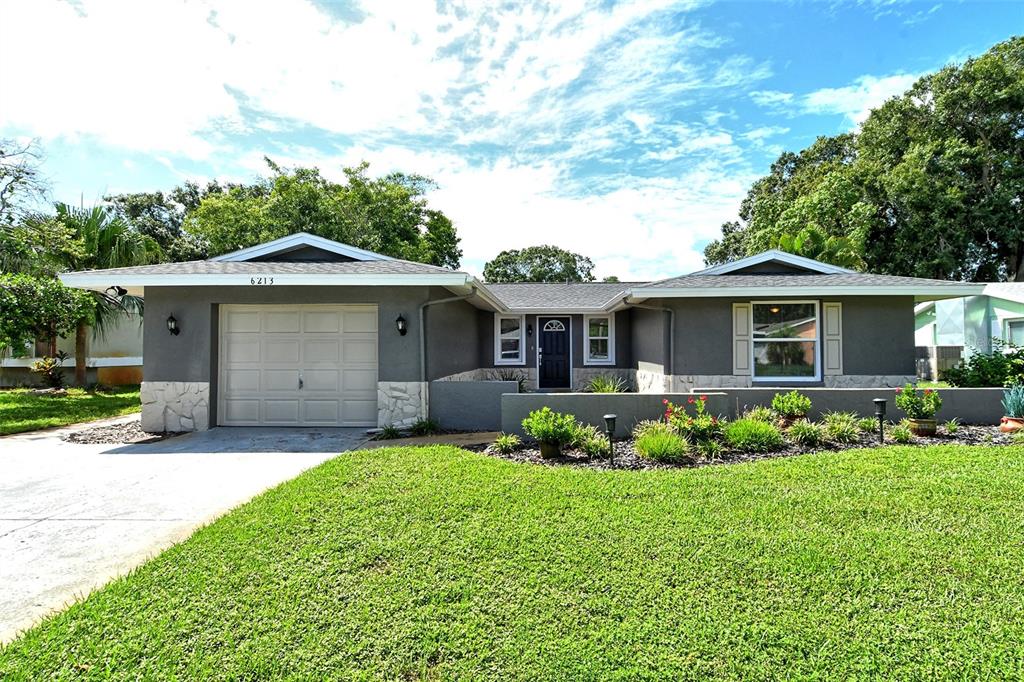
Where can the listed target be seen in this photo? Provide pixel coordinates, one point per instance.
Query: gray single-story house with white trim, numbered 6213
(305, 331)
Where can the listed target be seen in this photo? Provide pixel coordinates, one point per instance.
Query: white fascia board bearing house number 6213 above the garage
(101, 281)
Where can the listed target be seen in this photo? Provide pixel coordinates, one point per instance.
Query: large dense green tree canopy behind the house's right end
(931, 186)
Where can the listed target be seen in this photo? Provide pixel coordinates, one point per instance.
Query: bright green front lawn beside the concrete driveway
(436, 563)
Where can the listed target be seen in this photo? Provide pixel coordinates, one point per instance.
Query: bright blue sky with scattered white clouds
(627, 133)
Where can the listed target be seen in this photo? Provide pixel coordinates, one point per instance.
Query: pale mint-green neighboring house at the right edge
(949, 330)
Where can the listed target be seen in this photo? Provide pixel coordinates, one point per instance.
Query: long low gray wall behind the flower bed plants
(971, 406)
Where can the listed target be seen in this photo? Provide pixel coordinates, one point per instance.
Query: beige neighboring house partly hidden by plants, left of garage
(115, 358)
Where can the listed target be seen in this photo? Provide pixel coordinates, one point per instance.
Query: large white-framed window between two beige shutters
(785, 342)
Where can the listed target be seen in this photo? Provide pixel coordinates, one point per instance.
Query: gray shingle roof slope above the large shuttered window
(795, 281)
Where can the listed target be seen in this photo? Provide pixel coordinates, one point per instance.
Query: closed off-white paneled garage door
(298, 366)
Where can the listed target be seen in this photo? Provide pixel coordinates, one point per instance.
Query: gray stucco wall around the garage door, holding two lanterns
(192, 355)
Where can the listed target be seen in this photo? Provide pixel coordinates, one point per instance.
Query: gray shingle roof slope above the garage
(295, 268)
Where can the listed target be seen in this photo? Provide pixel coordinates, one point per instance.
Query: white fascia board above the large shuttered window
(921, 293)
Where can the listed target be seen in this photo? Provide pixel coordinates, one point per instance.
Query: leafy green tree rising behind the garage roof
(387, 215)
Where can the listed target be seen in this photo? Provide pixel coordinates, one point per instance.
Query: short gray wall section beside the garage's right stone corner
(470, 405)
